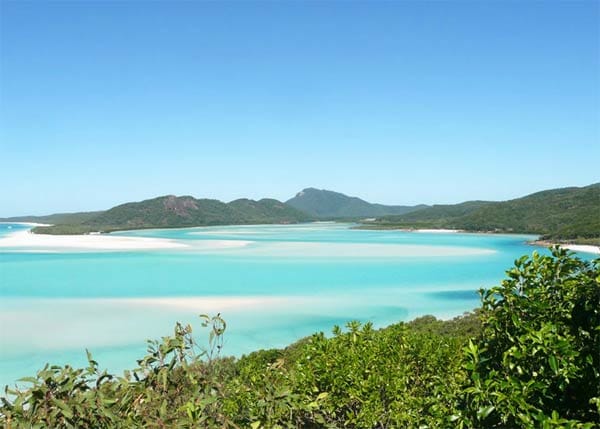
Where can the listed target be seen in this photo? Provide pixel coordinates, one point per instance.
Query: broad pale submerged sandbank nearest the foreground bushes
(39, 324)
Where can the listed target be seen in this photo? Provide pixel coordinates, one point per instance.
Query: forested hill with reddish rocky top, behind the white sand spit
(180, 212)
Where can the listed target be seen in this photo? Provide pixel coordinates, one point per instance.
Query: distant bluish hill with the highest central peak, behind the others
(330, 205)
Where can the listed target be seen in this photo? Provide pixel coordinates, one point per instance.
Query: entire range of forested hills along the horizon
(558, 215)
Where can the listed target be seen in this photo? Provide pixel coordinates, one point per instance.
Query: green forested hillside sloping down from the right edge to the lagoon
(566, 213)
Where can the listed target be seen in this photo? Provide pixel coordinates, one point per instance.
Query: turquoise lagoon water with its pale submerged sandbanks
(301, 279)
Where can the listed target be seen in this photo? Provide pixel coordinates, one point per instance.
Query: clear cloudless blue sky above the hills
(396, 102)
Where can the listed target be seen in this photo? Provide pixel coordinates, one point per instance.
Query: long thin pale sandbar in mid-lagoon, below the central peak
(358, 250)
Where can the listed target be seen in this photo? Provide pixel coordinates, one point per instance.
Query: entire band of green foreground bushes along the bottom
(530, 357)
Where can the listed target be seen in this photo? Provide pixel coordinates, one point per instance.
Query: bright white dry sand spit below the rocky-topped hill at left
(26, 239)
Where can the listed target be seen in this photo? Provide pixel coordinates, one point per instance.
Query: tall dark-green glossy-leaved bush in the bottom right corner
(537, 362)
